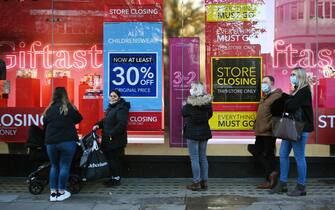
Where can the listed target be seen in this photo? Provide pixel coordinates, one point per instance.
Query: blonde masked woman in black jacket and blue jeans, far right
(301, 97)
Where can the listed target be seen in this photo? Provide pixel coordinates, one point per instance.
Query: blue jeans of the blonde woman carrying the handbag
(299, 155)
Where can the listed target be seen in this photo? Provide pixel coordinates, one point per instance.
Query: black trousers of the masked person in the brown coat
(265, 153)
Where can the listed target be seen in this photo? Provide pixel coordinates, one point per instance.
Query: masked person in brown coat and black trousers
(265, 144)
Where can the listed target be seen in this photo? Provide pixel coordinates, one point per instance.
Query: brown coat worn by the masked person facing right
(263, 124)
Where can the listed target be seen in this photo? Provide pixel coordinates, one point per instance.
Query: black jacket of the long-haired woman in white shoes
(59, 127)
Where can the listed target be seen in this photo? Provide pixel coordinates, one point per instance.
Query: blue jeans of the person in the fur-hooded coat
(199, 163)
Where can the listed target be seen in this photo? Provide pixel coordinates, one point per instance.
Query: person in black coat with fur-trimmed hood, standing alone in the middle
(196, 112)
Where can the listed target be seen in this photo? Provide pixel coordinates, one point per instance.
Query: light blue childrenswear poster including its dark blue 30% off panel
(133, 63)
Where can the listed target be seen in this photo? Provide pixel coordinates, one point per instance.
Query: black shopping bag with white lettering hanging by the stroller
(96, 166)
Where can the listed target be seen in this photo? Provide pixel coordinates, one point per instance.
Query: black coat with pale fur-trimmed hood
(196, 112)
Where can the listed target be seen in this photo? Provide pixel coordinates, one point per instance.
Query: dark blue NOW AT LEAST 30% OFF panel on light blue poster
(134, 74)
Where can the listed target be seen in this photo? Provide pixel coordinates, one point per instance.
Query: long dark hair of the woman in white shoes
(60, 95)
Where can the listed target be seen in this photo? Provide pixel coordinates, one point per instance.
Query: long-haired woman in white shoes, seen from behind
(59, 120)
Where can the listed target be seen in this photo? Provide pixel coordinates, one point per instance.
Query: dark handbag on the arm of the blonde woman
(287, 127)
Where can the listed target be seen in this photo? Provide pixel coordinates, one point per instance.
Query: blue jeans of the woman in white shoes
(60, 156)
